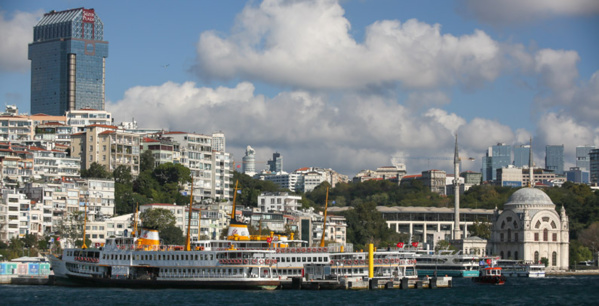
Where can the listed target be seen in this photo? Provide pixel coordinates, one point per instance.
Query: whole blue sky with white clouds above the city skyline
(347, 85)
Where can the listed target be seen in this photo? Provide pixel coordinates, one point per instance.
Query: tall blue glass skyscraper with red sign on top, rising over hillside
(68, 55)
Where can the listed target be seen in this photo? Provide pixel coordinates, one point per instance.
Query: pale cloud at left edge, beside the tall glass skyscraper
(15, 35)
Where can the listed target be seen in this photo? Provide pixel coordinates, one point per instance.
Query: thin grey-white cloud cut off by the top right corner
(509, 12)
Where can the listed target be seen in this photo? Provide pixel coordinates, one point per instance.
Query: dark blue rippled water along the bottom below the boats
(578, 290)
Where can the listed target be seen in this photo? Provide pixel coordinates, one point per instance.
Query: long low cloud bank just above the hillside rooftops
(362, 132)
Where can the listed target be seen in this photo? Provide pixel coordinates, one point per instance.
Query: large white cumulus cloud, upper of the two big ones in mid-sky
(307, 44)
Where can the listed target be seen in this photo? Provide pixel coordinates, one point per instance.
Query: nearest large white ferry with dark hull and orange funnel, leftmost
(144, 263)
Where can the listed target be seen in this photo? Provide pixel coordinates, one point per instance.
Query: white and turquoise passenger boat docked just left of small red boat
(444, 262)
